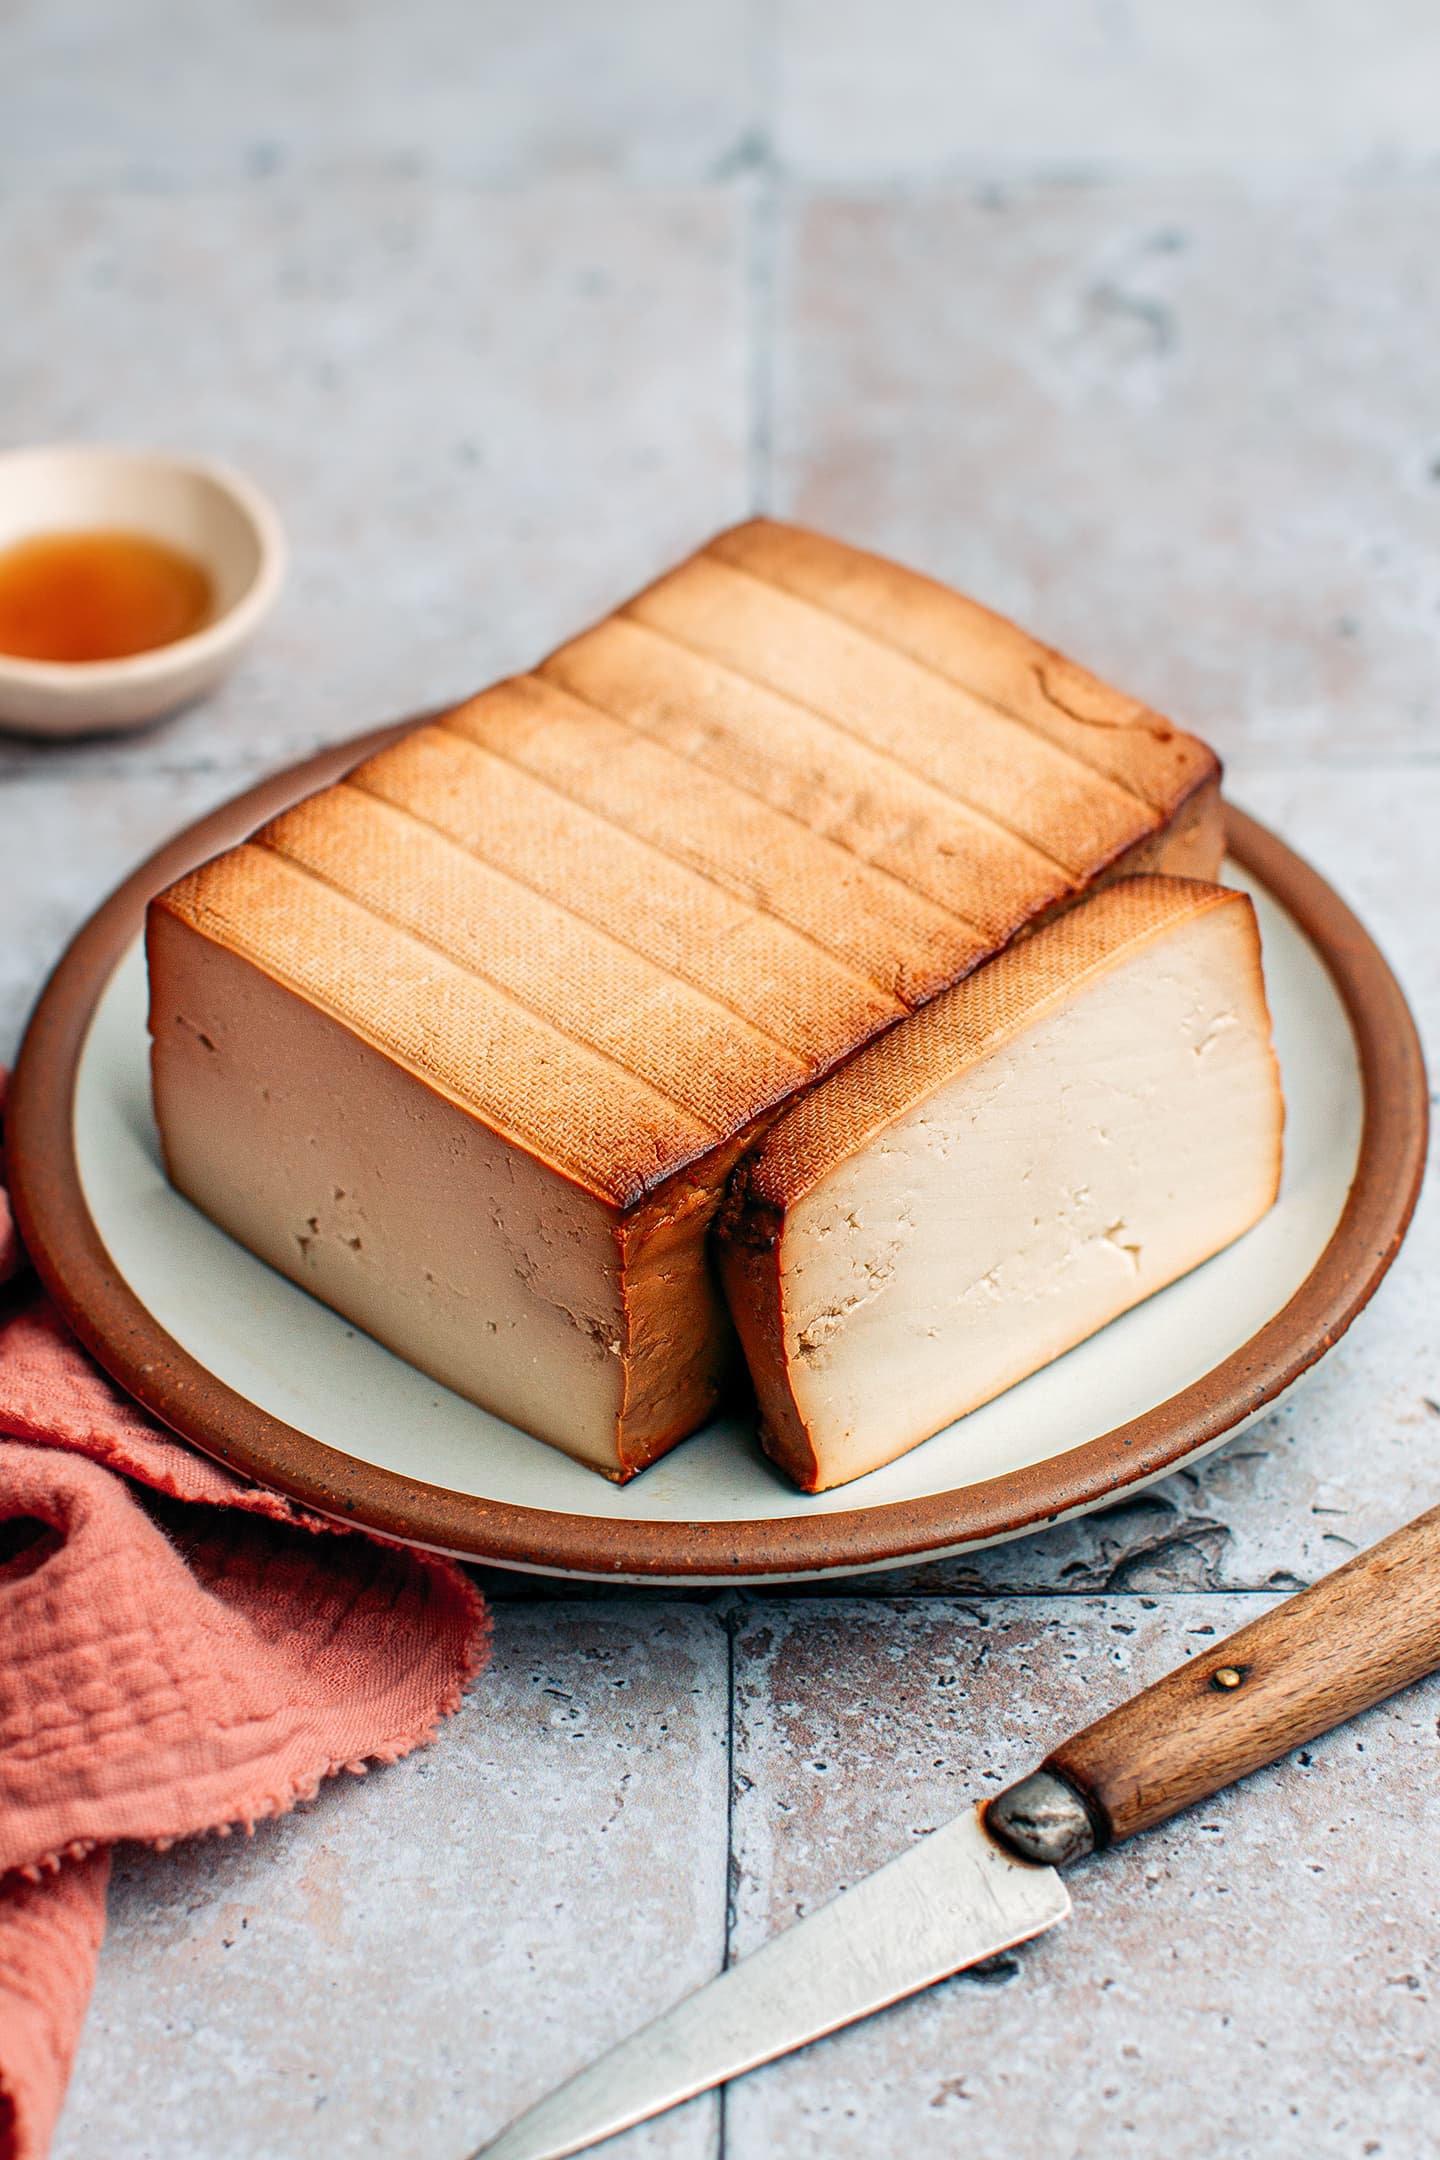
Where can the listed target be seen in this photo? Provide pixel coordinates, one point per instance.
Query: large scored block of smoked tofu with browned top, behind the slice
(472, 1042)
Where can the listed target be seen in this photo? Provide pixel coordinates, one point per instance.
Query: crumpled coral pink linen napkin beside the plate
(180, 1651)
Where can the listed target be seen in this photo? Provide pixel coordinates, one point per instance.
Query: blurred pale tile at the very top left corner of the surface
(178, 94)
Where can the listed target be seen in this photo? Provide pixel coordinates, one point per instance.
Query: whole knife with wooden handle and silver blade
(990, 1878)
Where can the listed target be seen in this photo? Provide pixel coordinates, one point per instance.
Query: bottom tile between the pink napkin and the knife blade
(413, 1958)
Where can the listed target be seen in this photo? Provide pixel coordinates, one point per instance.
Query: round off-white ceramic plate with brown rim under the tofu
(256, 1373)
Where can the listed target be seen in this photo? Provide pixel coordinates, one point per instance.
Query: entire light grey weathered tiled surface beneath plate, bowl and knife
(1126, 316)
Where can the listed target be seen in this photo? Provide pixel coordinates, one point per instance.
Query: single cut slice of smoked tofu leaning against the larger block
(1065, 1133)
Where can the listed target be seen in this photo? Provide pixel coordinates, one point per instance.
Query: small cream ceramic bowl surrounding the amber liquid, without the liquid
(206, 511)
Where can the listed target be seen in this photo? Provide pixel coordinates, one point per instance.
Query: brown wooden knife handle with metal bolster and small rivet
(1303, 1669)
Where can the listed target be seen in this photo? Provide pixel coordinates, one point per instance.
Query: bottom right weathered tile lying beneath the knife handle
(1255, 1980)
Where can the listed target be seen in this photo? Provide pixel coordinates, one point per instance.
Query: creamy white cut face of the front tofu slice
(1122, 1139)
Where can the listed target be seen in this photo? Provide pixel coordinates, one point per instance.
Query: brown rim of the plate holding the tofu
(176, 1388)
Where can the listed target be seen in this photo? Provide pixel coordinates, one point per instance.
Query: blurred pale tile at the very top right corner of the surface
(923, 92)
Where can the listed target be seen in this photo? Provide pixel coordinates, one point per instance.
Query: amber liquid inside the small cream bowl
(98, 597)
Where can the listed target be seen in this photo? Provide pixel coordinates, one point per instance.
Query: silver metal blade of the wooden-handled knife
(949, 1904)
